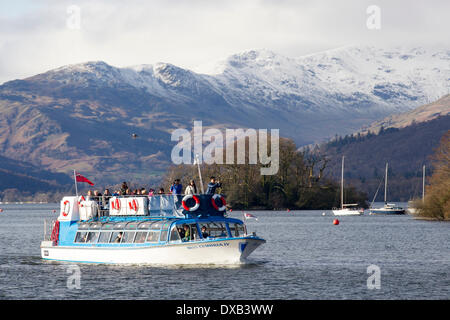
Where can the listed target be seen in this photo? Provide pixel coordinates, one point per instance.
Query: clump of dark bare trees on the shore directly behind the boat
(299, 184)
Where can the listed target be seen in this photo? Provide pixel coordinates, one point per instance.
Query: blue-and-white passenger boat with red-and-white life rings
(148, 230)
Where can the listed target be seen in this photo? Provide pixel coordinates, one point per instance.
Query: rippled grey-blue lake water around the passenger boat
(305, 257)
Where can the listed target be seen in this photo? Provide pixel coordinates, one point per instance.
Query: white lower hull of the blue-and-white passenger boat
(227, 251)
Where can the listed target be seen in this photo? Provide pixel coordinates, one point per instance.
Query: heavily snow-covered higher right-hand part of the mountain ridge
(361, 79)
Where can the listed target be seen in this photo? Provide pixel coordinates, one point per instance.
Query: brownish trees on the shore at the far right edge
(437, 193)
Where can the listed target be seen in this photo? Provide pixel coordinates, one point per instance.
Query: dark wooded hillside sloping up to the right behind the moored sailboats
(405, 141)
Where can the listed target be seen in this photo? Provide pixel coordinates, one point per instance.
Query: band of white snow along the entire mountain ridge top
(351, 78)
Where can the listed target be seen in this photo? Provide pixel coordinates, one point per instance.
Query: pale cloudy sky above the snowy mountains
(36, 36)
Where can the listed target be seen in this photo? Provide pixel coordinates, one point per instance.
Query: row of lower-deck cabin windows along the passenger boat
(213, 230)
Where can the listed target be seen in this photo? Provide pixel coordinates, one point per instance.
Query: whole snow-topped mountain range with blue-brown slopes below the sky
(83, 114)
